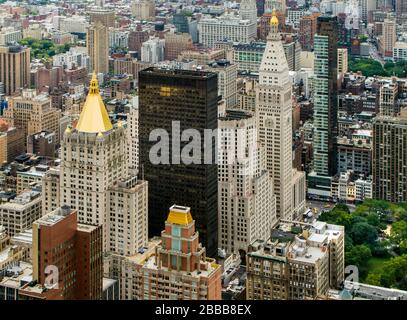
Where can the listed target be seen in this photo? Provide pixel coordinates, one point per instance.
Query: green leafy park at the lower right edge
(375, 240)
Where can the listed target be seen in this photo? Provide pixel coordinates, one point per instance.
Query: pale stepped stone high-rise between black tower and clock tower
(247, 208)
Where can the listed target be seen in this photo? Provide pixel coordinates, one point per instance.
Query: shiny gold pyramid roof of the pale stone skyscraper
(94, 117)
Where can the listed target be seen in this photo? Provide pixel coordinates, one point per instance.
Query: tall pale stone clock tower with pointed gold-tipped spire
(274, 118)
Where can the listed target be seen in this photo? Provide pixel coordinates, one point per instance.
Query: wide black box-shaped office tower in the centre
(190, 97)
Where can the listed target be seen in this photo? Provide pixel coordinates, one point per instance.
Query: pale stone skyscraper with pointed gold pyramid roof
(94, 178)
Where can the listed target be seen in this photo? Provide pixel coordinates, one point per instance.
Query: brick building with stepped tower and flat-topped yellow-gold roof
(175, 268)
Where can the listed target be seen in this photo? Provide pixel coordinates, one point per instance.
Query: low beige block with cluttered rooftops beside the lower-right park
(299, 261)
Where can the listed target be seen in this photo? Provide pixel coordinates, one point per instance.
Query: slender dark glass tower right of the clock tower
(325, 104)
